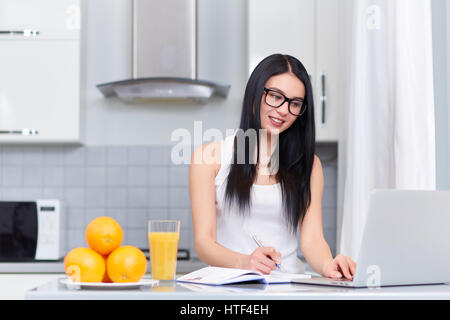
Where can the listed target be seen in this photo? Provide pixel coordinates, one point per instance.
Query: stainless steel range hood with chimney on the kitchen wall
(164, 56)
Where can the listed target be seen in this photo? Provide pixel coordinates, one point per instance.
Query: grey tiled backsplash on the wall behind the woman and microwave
(133, 184)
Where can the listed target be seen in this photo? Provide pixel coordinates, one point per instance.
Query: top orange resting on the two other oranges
(104, 234)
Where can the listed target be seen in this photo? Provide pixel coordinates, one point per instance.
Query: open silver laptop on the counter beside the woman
(406, 241)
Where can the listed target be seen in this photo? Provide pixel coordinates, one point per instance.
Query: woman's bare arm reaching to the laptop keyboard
(312, 242)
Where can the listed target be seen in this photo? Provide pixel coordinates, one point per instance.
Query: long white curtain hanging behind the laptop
(387, 138)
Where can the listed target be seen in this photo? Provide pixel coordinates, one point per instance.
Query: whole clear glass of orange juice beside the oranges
(163, 236)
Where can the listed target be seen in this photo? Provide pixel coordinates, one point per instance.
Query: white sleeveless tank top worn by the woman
(265, 218)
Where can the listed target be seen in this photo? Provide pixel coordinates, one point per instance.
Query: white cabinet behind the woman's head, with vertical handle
(307, 30)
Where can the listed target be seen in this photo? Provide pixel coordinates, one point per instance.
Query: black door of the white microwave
(18, 230)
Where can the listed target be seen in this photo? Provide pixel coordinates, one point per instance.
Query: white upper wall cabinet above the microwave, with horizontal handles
(39, 73)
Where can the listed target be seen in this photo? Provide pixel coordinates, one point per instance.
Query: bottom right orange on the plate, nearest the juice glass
(126, 264)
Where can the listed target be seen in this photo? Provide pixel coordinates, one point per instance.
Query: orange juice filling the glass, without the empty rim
(163, 254)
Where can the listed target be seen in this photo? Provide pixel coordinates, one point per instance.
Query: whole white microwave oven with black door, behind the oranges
(31, 230)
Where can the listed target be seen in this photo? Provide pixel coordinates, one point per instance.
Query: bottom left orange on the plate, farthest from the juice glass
(84, 265)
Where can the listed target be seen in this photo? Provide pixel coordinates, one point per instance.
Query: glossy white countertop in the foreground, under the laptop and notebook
(171, 290)
